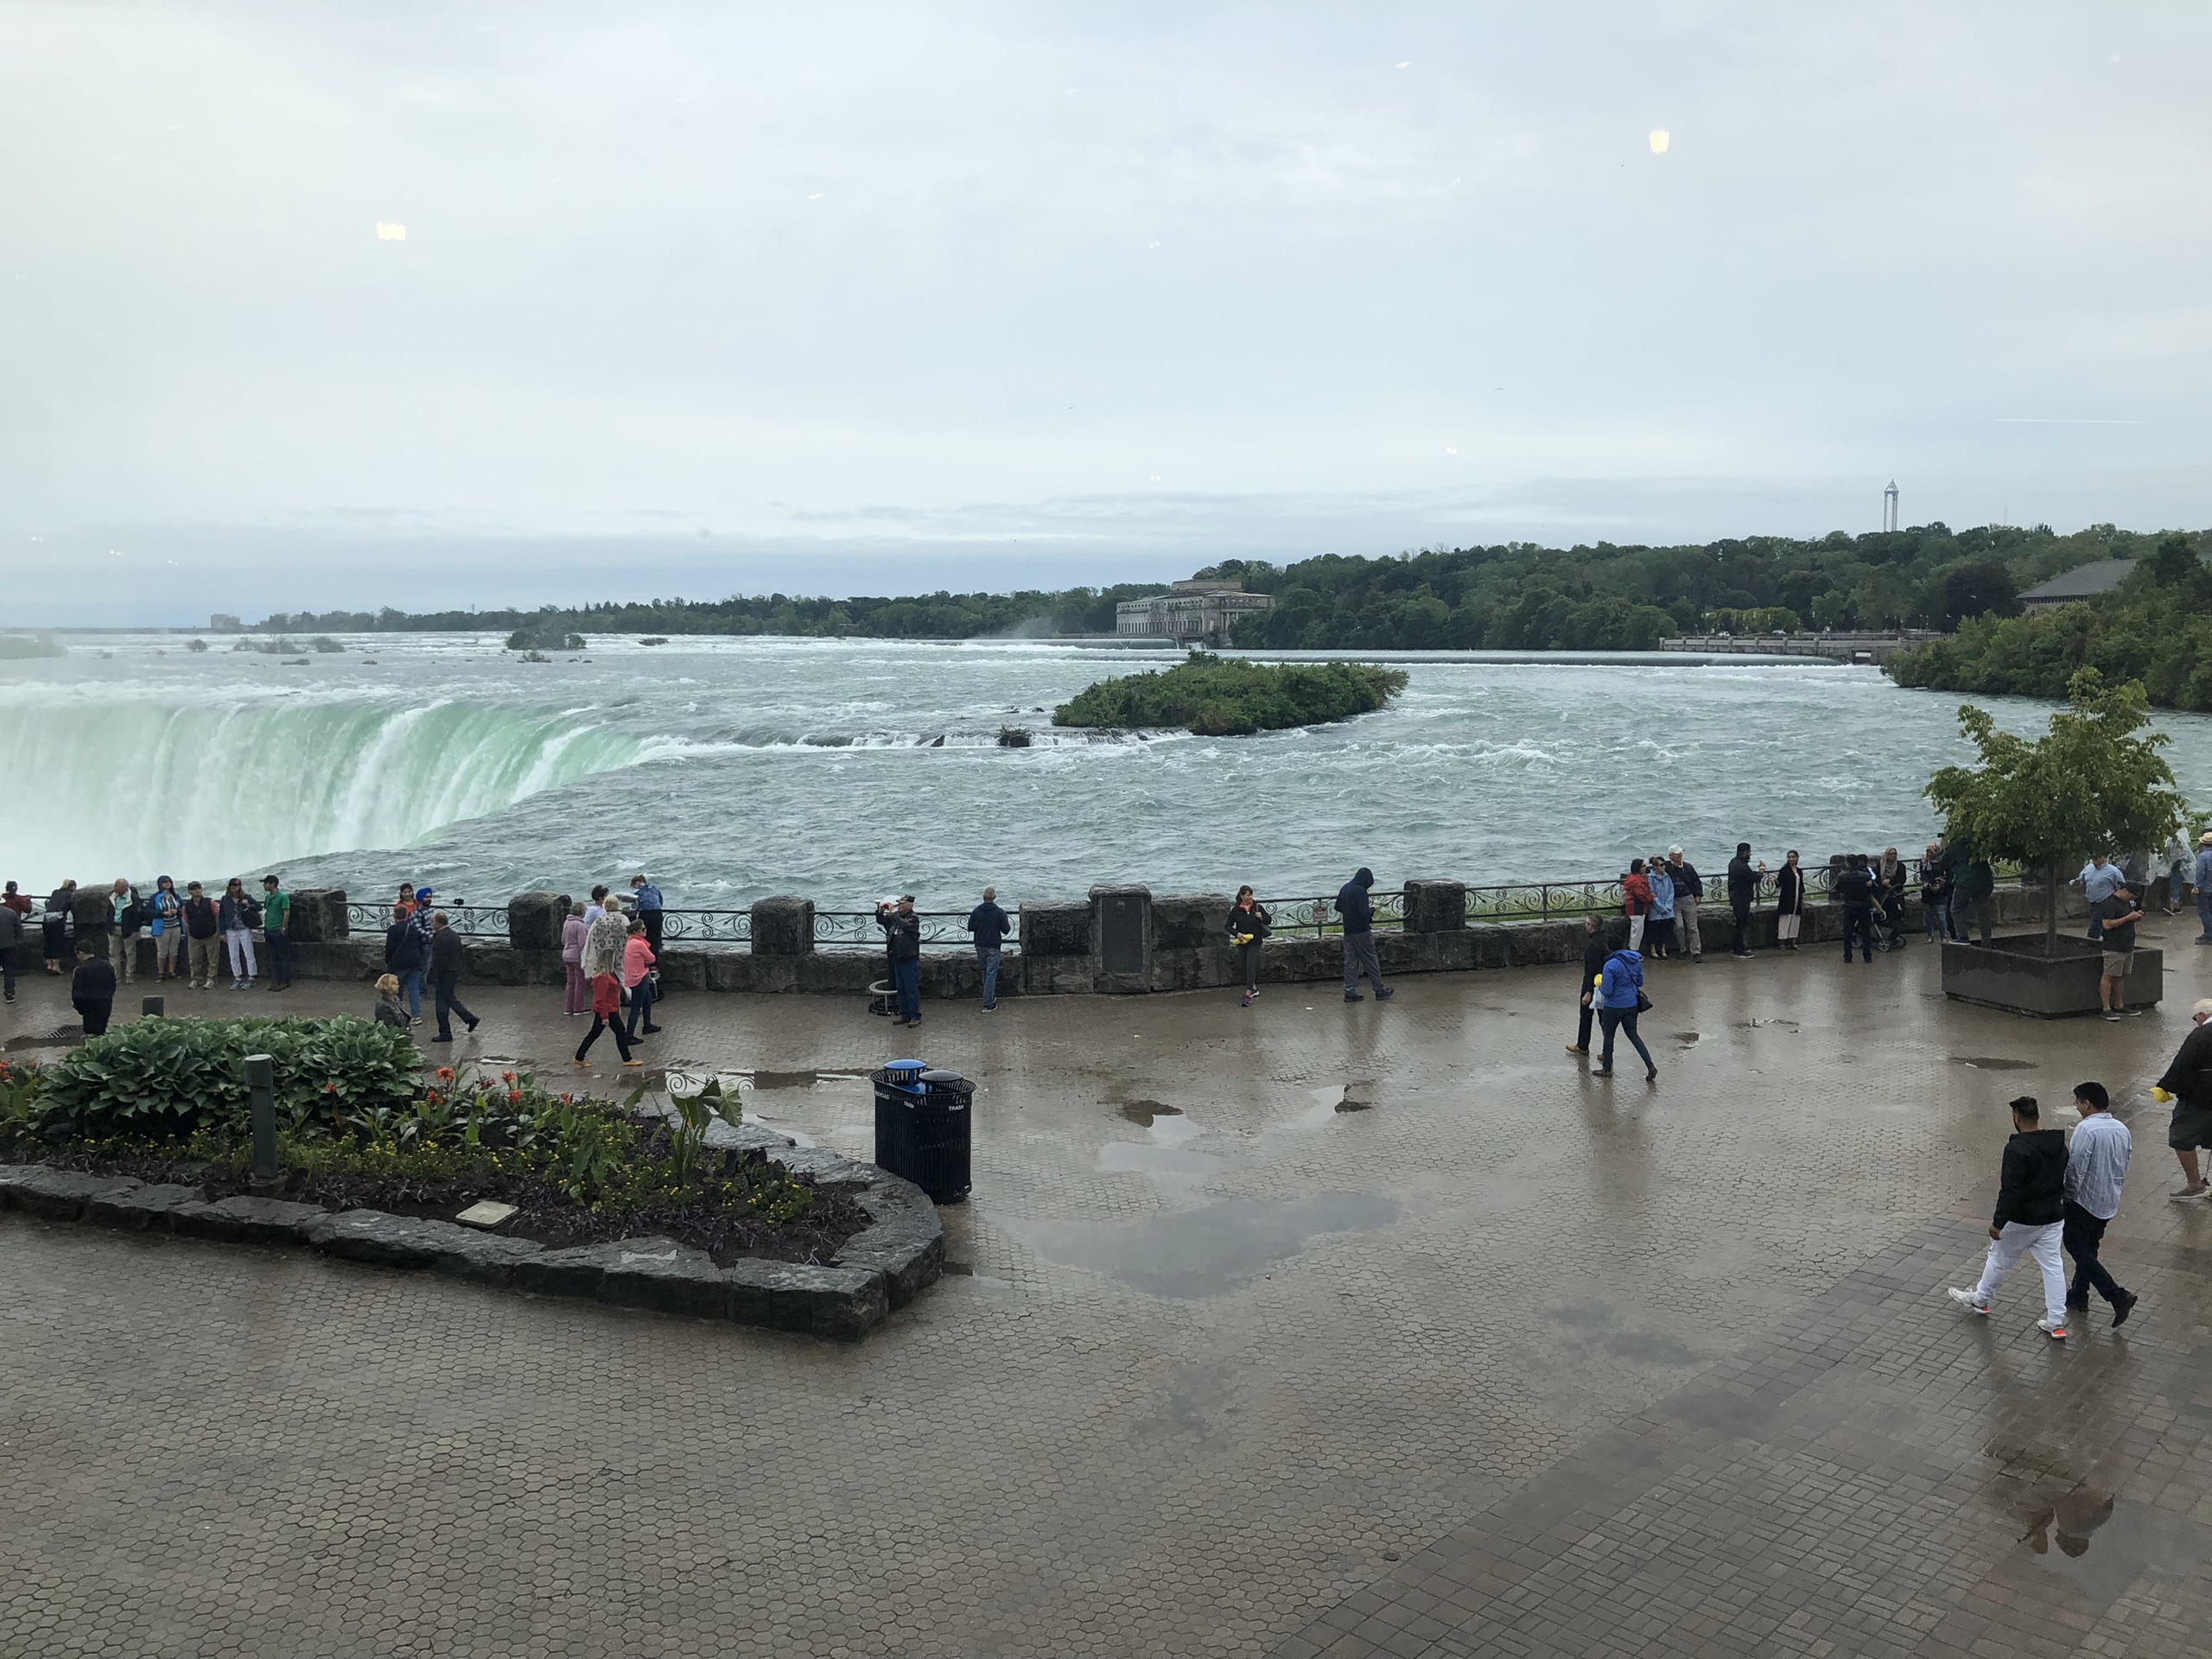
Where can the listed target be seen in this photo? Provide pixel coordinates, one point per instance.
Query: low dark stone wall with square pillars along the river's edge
(1158, 943)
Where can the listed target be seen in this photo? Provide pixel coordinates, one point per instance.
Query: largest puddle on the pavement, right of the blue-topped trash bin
(1189, 1255)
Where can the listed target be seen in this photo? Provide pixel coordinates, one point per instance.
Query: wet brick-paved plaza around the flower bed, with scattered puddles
(1512, 1364)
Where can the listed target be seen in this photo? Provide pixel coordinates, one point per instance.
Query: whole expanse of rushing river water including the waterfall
(846, 771)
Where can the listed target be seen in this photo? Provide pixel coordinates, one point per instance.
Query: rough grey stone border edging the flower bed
(881, 1269)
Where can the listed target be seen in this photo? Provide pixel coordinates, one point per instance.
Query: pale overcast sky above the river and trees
(713, 298)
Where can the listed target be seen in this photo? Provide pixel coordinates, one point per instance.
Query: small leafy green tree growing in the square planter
(2091, 784)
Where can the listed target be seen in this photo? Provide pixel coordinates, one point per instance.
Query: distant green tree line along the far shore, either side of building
(1503, 598)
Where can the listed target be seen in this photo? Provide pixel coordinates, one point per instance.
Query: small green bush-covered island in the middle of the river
(1218, 698)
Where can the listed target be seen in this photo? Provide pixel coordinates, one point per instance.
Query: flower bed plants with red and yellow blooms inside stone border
(156, 1103)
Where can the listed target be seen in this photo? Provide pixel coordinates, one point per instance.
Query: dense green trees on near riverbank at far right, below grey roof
(2156, 627)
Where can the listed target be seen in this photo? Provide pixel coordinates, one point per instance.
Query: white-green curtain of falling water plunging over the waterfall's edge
(138, 789)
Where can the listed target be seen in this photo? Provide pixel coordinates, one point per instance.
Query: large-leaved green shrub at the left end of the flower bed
(171, 1078)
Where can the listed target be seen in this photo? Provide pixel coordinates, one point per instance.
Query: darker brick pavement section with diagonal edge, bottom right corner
(1826, 1494)
